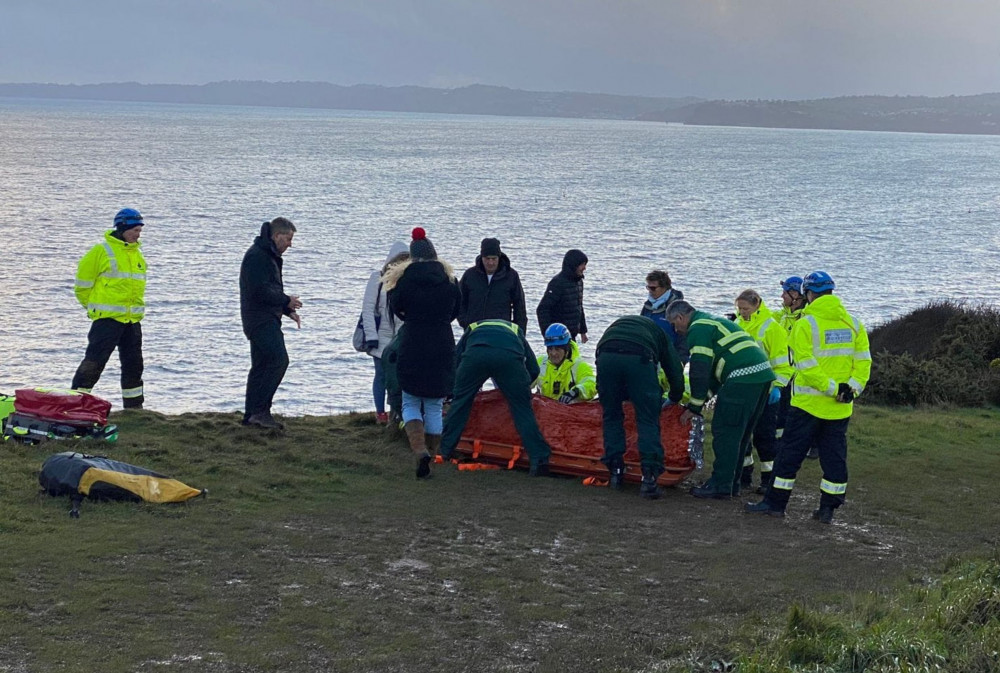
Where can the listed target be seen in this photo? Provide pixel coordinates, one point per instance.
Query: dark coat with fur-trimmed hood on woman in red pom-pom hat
(425, 295)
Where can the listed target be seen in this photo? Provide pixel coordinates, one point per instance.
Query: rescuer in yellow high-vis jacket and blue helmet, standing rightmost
(829, 349)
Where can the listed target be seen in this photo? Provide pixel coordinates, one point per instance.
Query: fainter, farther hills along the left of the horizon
(476, 99)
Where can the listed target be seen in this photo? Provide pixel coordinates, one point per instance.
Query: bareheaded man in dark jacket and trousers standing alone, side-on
(262, 303)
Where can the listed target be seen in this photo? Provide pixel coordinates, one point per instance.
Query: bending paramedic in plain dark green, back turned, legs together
(628, 356)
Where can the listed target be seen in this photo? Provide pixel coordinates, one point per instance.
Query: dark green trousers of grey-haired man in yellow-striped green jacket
(737, 409)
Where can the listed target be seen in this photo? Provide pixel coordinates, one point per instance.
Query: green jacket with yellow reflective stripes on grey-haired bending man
(721, 352)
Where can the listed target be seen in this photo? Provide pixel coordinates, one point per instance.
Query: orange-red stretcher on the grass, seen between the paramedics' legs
(574, 433)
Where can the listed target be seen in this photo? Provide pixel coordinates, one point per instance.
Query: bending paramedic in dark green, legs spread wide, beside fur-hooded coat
(497, 349)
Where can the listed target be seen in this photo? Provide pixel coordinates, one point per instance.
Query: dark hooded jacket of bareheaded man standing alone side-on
(262, 293)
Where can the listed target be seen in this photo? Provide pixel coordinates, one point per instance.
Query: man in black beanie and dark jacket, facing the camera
(492, 289)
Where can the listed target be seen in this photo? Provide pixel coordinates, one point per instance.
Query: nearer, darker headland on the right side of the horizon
(952, 114)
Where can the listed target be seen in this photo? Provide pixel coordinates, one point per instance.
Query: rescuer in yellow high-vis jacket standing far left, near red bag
(111, 285)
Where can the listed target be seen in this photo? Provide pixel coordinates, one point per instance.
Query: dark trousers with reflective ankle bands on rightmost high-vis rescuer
(830, 437)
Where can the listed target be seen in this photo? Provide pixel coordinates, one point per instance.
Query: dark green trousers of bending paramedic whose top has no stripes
(627, 376)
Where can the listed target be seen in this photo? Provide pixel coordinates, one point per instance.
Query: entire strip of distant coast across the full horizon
(979, 114)
